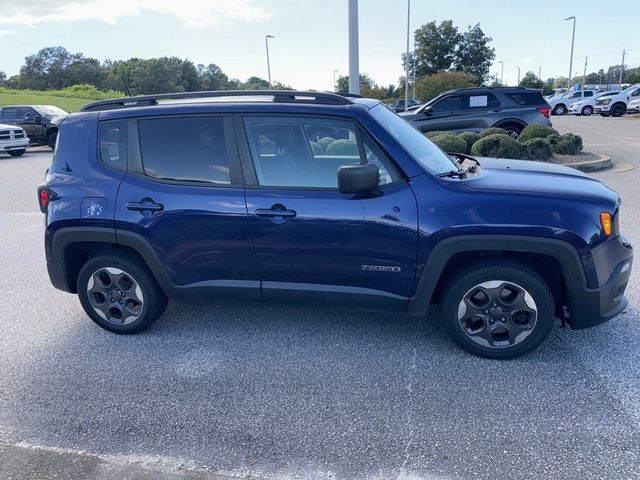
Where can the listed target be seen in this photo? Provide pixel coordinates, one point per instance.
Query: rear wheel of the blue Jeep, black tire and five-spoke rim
(138, 309)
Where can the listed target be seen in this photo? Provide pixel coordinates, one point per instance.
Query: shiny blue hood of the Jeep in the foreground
(538, 178)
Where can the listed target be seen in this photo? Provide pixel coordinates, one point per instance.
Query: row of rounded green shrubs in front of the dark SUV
(535, 142)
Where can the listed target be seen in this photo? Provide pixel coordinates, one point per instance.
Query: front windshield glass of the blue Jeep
(417, 145)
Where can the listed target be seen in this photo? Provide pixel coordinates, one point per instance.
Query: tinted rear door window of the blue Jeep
(185, 149)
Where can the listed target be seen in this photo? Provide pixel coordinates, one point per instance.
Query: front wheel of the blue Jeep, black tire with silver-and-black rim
(490, 334)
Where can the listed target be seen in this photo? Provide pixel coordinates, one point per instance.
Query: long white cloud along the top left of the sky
(194, 13)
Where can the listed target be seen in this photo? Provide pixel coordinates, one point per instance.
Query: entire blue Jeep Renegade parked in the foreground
(320, 199)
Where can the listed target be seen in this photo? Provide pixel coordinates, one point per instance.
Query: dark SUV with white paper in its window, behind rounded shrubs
(511, 108)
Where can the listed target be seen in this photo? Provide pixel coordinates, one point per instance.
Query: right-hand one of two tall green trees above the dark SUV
(473, 54)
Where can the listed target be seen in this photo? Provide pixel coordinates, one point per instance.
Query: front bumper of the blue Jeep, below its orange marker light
(591, 307)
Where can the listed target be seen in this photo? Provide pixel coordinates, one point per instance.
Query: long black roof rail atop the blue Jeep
(280, 96)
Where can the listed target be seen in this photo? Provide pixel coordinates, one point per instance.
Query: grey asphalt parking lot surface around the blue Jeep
(276, 392)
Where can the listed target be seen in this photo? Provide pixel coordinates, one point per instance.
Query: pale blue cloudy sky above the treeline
(311, 36)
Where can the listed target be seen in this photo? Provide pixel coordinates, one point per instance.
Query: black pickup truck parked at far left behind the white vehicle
(39, 121)
